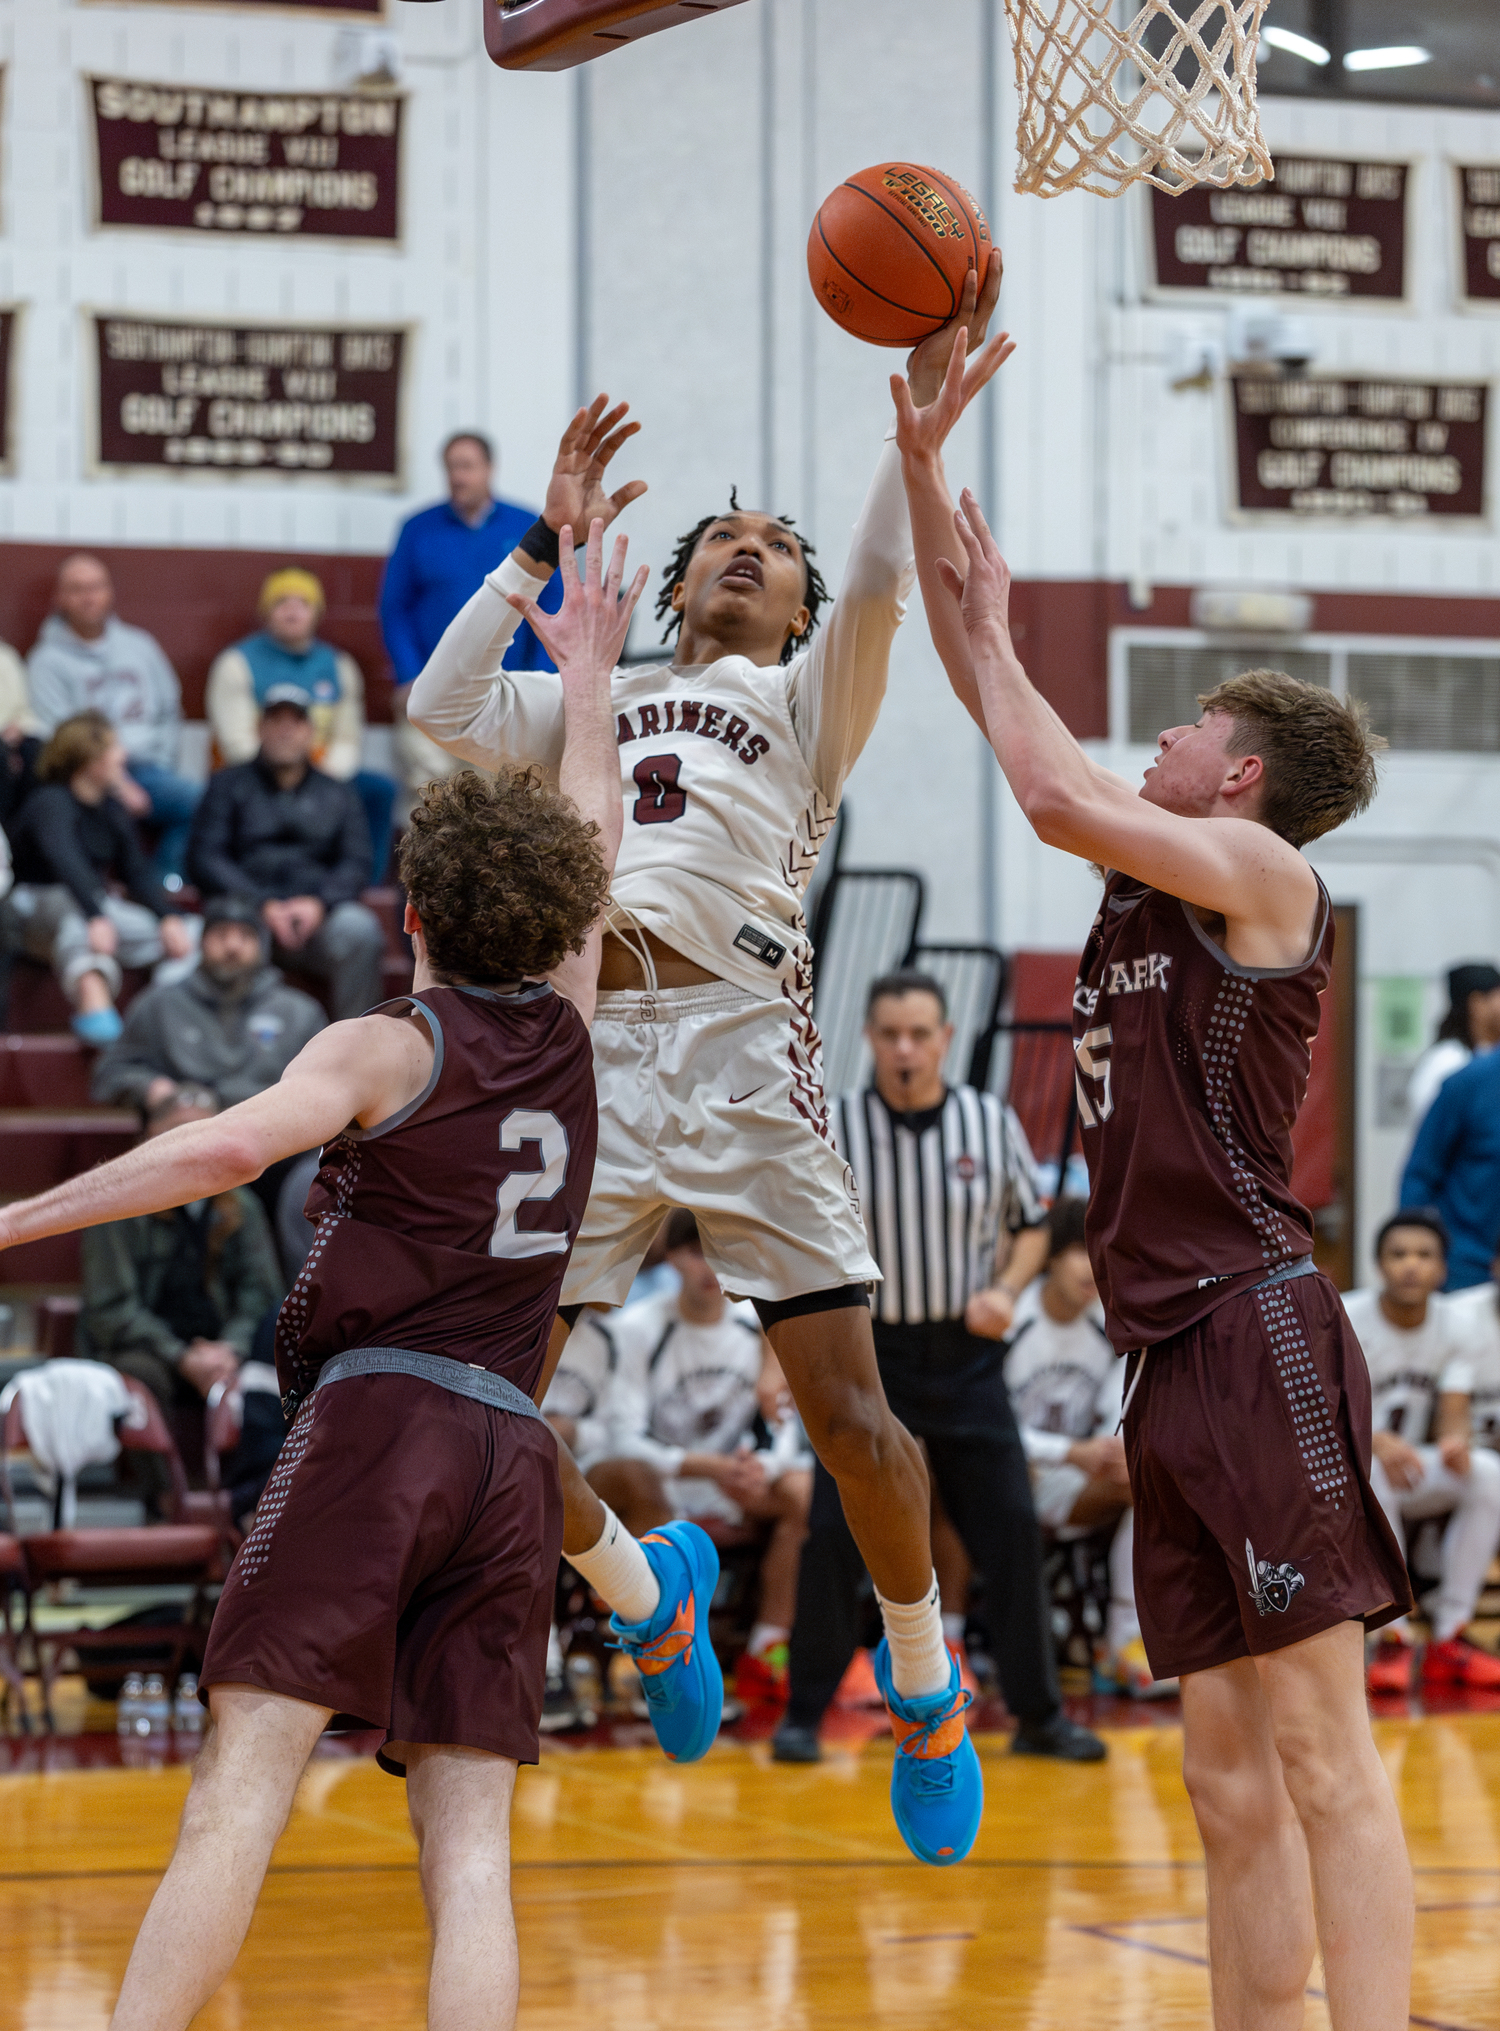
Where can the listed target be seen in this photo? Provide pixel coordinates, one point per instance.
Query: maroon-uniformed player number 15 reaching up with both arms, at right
(1262, 1553)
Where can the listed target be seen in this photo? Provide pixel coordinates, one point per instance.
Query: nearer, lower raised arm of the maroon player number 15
(1231, 866)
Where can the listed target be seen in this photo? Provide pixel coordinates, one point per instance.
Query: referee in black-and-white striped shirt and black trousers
(947, 1179)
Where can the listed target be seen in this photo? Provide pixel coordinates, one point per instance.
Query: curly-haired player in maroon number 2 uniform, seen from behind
(405, 1555)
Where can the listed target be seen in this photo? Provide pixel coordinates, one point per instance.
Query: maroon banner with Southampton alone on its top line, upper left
(295, 163)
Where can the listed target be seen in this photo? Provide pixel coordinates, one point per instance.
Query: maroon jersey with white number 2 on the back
(450, 1226)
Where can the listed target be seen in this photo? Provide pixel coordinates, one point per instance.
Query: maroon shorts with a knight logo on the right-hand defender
(1249, 1451)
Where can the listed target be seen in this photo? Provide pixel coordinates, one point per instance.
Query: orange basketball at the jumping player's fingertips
(890, 251)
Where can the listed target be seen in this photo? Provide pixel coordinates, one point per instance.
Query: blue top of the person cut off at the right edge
(1456, 1167)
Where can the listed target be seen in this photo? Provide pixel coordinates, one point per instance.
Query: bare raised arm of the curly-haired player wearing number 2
(586, 639)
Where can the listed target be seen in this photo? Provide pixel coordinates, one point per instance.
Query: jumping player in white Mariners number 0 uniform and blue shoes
(734, 759)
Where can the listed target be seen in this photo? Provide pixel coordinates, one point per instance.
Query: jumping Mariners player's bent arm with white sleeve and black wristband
(464, 700)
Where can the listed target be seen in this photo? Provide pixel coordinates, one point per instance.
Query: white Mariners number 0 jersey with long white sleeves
(732, 773)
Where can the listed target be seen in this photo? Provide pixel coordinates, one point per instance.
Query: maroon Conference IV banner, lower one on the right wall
(1359, 448)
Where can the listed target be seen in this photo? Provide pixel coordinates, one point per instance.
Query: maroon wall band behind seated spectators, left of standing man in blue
(198, 602)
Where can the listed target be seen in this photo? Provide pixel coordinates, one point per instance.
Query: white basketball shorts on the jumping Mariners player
(713, 1102)
